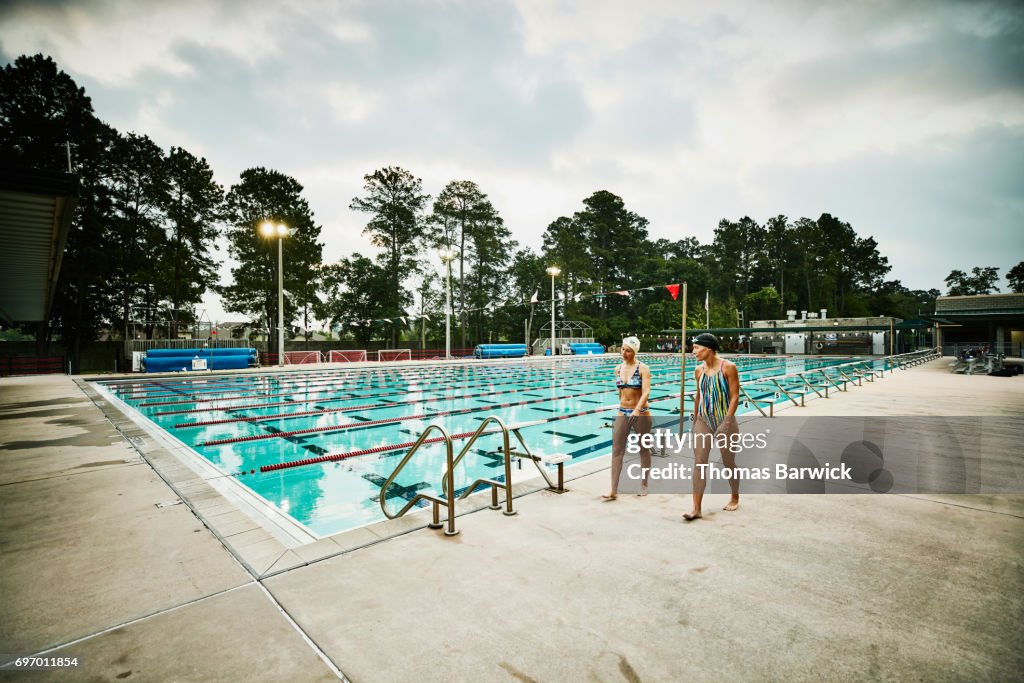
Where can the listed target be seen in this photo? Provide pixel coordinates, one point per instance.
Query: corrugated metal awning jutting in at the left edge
(36, 210)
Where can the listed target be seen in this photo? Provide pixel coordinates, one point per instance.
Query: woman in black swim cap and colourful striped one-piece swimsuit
(716, 403)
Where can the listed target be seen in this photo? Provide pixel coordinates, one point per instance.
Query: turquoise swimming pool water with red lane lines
(265, 431)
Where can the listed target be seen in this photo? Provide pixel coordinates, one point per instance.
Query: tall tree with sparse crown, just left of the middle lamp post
(396, 201)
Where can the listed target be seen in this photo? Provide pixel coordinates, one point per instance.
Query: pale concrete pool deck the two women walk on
(100, 559)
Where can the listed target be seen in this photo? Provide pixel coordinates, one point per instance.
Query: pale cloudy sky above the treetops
(904, 118)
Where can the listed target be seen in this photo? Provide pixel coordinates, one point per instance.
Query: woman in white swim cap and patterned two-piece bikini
(633, 382)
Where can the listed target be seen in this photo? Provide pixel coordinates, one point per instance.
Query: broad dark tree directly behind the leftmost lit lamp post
(268, 195)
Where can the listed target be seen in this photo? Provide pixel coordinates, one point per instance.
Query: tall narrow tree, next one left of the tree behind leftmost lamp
(194, 204)
